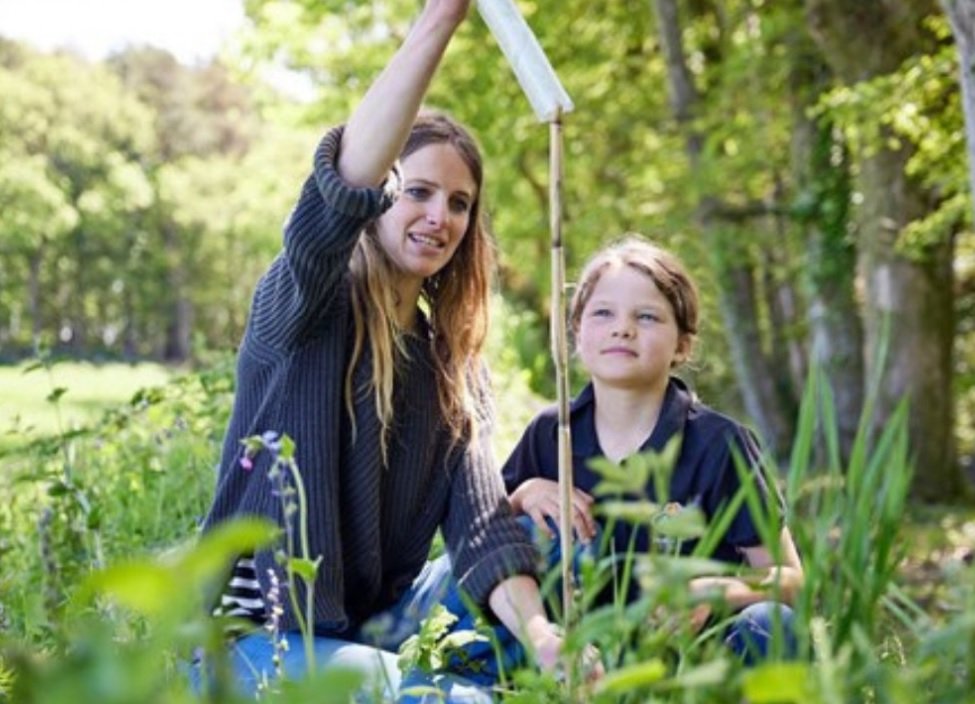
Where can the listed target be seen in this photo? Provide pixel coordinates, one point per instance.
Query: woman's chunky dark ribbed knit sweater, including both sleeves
(372, 524)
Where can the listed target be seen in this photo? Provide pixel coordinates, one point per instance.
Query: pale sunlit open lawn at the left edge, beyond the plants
(90, 390)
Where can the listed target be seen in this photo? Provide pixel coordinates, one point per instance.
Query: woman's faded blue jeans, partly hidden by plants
(371, 650)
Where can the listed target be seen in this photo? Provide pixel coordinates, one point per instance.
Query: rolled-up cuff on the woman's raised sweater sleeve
(364, 202)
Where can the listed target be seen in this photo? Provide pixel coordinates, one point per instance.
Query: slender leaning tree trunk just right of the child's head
(735, 271)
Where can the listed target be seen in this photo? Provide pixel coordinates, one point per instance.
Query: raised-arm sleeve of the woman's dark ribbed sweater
(319, 236)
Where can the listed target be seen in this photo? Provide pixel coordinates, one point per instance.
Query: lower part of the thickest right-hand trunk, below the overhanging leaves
(915, 297)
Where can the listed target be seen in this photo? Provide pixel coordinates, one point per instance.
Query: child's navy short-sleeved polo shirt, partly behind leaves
(704, 475)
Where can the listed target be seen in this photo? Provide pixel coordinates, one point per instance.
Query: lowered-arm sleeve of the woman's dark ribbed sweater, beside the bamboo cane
(486, 543)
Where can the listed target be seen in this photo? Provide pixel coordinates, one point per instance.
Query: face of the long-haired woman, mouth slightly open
(422, 230)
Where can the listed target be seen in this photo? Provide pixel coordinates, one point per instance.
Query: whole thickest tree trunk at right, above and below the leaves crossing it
(912, 292)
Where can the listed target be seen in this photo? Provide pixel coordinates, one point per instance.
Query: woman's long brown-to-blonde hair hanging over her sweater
(456, 299)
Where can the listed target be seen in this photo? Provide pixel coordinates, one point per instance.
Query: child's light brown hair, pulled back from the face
(664, 268)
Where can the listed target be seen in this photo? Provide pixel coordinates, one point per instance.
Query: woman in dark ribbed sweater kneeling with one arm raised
(363, 345)
